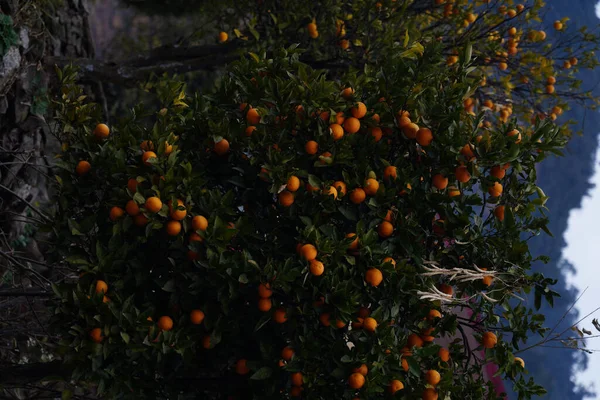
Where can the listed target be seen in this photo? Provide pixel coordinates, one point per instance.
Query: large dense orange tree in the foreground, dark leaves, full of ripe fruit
(287, 235)
